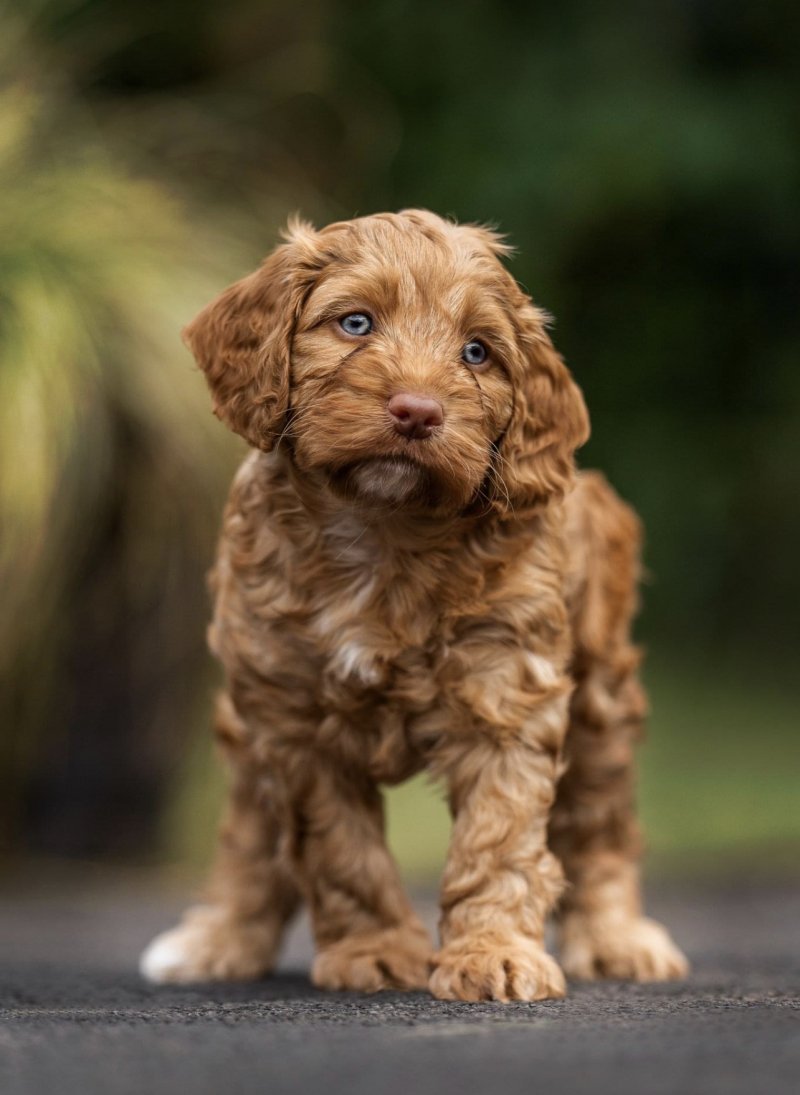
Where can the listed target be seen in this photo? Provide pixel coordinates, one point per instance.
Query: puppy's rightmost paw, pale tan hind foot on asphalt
(624, 950)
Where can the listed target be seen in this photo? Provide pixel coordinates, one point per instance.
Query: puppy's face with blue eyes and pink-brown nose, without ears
(400, 376)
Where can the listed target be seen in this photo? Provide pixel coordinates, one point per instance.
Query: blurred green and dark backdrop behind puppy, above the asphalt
(645, 159)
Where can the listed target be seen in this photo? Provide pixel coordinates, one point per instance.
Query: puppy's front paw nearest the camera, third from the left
(472, 970)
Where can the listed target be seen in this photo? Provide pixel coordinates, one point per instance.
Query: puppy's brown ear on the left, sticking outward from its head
(242, 340)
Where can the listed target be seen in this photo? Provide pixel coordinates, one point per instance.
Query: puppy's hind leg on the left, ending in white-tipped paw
(253, 893)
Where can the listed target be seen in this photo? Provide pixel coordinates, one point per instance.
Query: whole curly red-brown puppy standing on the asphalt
(412, 577)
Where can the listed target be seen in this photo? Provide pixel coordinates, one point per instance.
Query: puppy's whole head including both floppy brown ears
(400, 363)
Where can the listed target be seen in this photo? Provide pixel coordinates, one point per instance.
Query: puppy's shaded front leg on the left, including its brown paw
(368, 937)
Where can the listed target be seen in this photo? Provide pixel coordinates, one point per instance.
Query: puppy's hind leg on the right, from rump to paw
(594, 826)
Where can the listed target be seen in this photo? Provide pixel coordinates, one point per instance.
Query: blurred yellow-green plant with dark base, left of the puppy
(112, 471)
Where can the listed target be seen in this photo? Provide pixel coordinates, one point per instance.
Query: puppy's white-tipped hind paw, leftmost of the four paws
(210, 946)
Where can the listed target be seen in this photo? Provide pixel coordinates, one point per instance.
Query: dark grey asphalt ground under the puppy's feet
(75, 1017)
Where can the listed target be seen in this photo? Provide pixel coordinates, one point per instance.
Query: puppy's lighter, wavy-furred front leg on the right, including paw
(501, 881)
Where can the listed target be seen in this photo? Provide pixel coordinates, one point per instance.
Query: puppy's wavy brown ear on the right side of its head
(549, 422)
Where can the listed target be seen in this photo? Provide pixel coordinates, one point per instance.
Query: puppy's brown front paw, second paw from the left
(393, 959)
